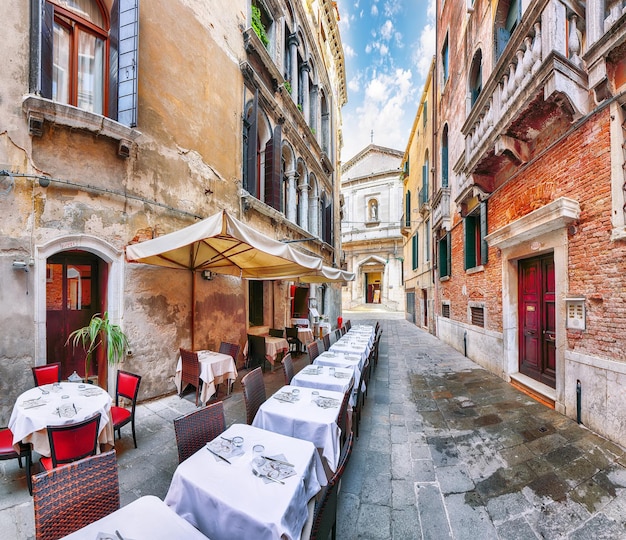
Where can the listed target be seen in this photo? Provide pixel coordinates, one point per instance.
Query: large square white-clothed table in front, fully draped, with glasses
(226, 501)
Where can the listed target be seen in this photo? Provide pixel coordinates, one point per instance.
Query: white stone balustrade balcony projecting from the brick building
(537, 83)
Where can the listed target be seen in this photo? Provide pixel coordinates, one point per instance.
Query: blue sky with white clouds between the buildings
(388, 46)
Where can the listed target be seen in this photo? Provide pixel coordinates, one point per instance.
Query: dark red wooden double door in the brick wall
(537, 320)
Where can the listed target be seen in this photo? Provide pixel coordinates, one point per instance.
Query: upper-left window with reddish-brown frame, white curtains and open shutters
(79, 59)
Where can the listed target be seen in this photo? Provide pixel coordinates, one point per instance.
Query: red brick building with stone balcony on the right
(530, 139)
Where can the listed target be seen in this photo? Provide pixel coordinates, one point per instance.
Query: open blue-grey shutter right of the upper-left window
(123, 60)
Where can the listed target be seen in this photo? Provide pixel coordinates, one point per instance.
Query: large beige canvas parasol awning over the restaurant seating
(224, 245)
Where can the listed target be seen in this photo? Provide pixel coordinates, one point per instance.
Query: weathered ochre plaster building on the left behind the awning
(114, 130)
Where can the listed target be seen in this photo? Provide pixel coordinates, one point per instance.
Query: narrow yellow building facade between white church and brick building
(419, 187)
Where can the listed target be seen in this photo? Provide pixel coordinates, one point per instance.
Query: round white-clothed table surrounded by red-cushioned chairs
(34, 411)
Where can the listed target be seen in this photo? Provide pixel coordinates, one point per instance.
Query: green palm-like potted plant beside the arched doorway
(100, 330)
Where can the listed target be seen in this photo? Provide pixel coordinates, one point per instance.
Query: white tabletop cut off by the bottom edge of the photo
(147, 517)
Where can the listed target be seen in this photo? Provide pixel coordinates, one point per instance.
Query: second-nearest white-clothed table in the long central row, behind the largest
(304, 419)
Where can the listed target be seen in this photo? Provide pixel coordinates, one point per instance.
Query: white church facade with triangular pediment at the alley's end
(370, 228)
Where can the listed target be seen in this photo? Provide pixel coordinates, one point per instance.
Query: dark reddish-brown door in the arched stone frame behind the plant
(72, 298)
